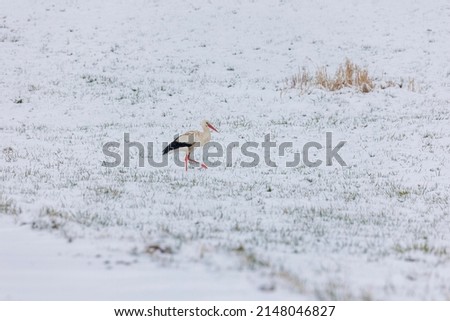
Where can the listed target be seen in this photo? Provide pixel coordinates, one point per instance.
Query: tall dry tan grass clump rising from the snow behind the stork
(348, 75)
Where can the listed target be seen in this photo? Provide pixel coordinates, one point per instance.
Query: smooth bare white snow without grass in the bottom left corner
(38, 266)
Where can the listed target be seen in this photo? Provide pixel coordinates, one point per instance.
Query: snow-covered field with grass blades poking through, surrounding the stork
(77, 74)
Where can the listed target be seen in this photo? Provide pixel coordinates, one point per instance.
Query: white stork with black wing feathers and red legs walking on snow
(189, 140)
